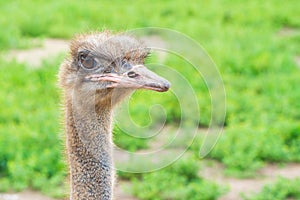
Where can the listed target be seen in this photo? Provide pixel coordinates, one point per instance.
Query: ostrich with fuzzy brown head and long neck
(102, 69)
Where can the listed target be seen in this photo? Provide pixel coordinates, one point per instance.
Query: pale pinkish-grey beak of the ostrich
(139, 77)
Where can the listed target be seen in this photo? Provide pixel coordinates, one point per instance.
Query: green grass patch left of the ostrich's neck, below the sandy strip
(30, 145)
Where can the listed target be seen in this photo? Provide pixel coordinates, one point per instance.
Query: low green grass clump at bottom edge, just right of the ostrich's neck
(179, 181)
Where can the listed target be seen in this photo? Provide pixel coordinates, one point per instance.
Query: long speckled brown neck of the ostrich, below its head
(89, 148)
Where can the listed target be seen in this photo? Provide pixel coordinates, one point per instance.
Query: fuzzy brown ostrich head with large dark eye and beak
(109, 66)
